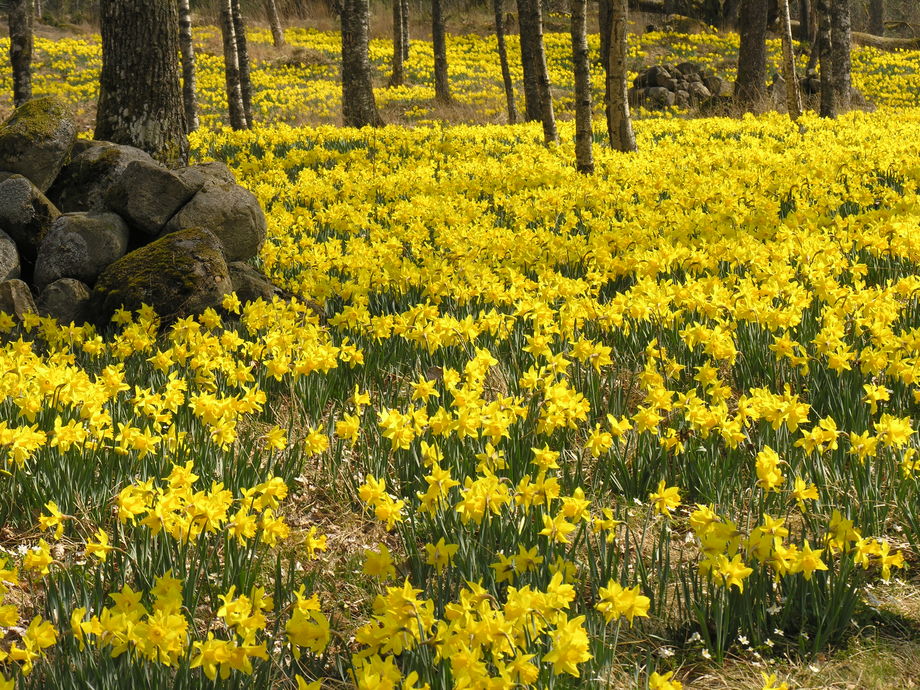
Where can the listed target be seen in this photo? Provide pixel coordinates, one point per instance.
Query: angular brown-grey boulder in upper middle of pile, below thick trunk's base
(147, 195)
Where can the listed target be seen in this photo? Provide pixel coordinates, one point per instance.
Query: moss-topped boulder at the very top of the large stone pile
(37, 139)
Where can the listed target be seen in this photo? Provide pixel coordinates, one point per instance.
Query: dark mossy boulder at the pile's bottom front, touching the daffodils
(178, 274)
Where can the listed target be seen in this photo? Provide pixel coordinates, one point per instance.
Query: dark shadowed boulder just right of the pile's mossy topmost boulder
(84, 181)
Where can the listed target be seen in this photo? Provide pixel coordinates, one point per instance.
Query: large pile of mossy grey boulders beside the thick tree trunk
(88, 227)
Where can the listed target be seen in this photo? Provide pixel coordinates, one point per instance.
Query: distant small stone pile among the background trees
(684, 85)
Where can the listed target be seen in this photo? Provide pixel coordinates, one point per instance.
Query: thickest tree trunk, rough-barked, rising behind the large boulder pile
(140, 99)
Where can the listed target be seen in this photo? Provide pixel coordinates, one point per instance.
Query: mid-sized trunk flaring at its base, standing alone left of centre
(358, 106)
